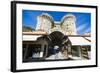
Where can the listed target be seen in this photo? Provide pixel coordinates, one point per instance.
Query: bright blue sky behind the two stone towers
(83, 20)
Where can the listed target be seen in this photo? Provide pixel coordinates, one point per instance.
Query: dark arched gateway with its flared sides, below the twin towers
(55, 39)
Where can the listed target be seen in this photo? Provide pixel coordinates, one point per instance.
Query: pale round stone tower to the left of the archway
(44, 22)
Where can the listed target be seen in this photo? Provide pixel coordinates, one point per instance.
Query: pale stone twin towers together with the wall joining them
(67, 24)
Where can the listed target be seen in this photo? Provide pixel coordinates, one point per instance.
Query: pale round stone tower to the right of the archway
(68, 24)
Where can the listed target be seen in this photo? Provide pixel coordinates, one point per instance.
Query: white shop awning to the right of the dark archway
(79, 40)
